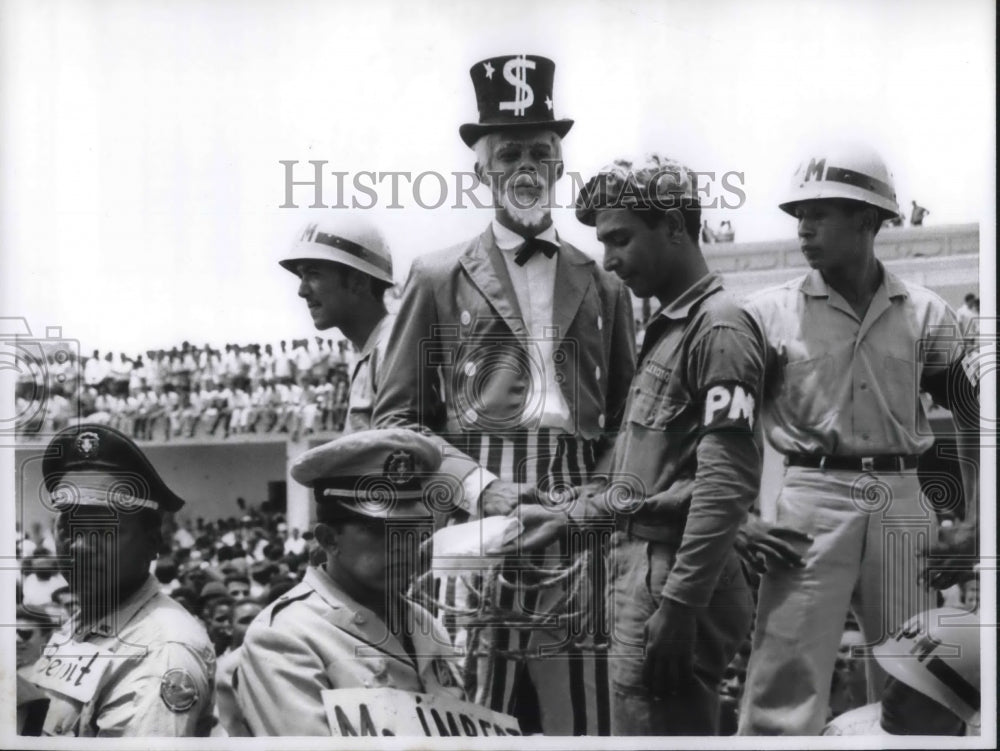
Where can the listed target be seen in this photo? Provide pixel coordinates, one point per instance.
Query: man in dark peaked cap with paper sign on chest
(131, 661)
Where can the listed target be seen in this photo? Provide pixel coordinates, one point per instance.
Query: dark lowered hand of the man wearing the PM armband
(668, 668)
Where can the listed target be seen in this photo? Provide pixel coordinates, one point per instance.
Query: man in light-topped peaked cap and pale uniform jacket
(348, 625)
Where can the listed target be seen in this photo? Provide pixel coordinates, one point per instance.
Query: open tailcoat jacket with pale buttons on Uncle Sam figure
(459, 355)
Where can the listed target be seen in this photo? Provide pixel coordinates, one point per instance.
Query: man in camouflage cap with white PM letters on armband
(681, 604)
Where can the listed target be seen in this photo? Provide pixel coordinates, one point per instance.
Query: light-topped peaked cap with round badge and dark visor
(373, 473)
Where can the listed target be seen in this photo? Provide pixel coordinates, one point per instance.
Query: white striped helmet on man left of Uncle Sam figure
(345, 238)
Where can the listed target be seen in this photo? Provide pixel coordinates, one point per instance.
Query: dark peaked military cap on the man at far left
(94, 465)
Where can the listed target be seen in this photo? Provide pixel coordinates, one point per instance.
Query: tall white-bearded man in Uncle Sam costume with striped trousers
(516, 350)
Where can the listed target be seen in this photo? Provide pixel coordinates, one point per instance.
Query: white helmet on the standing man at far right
(852, 171)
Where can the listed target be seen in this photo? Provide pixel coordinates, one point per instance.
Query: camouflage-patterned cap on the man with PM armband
(650, 182)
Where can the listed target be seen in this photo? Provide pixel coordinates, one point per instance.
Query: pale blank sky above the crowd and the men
(141, 143)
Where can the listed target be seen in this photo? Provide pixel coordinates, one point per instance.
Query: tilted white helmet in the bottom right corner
(937, 653)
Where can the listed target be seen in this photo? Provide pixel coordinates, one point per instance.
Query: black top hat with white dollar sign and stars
(513, 91)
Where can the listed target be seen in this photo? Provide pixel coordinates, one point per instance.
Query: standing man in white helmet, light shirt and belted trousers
(849, 347)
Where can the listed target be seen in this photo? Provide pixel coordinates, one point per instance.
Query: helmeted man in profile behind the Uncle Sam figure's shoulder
(344, 268)
